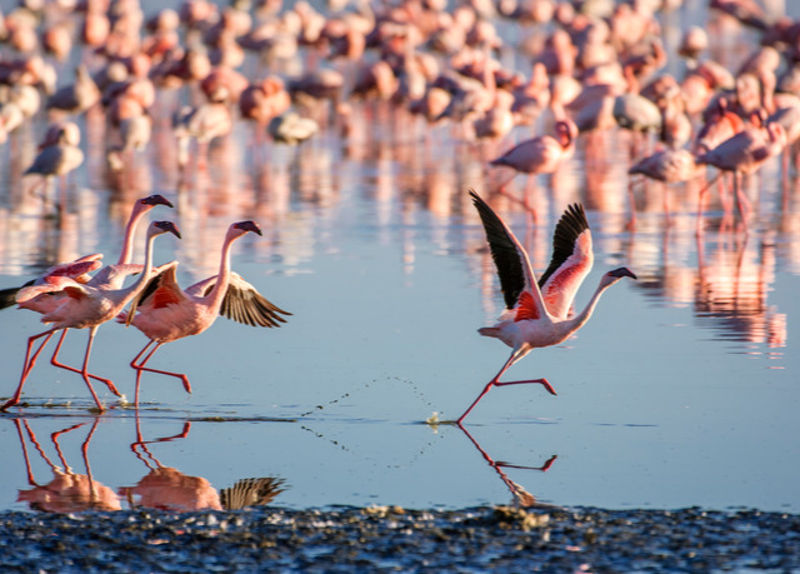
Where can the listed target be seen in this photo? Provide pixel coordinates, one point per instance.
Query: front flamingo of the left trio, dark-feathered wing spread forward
(165, 312)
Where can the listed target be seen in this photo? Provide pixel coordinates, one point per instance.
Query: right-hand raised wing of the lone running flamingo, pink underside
(570, 263)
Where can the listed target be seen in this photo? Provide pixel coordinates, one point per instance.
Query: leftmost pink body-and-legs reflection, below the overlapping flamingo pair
(68, 491)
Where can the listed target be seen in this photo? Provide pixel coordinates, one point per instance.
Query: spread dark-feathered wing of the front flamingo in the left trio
(244, 304)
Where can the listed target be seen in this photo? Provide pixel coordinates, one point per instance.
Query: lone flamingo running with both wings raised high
(538, 313)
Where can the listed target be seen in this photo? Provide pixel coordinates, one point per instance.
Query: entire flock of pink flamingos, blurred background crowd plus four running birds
(590, 67)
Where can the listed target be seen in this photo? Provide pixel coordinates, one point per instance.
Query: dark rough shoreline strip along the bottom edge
(395, 539)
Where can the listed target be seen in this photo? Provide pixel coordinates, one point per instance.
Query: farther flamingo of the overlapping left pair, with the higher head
(110, 277)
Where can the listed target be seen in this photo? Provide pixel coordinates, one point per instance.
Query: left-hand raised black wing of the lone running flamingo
(520, 290)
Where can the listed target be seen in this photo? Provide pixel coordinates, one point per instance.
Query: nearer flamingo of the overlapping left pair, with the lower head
(79, 306)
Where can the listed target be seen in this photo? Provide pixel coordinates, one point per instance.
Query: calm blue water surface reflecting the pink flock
(681, 390)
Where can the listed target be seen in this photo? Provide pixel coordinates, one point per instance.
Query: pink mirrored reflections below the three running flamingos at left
(163, 487)
